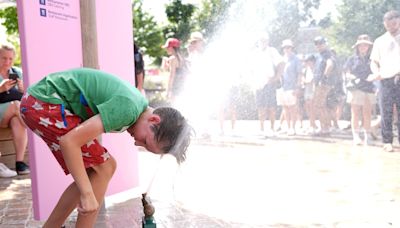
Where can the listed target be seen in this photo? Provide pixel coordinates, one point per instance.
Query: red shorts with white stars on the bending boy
(50, 122)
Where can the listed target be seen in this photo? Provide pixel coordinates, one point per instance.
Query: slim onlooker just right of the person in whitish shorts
(309, 88)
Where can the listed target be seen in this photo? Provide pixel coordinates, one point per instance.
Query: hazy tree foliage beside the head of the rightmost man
(359, 17)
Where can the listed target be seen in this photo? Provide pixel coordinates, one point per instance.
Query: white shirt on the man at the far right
(386, 51)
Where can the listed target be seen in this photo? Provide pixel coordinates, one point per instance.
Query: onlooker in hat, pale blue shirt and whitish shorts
(291, 85)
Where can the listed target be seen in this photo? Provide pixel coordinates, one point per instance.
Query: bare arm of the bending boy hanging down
(71, 144)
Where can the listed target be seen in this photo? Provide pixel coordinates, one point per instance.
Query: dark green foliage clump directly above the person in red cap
(179, 17)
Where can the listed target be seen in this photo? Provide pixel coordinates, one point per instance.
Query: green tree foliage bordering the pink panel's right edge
(147, 34)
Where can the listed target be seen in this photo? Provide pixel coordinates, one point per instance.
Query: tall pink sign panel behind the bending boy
(51, 41)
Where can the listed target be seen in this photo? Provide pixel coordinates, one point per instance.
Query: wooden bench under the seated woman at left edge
(7, 149)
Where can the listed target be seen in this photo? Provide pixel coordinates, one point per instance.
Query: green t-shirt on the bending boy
(118, 103)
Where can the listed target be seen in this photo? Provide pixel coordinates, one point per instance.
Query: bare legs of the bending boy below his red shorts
(99, 177)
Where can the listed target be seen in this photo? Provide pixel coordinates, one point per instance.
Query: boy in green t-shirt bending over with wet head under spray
(70, 109)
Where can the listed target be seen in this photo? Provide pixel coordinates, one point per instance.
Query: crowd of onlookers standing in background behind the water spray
(289, 86)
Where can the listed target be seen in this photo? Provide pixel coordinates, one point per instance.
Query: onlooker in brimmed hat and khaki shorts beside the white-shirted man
(361, 93)
